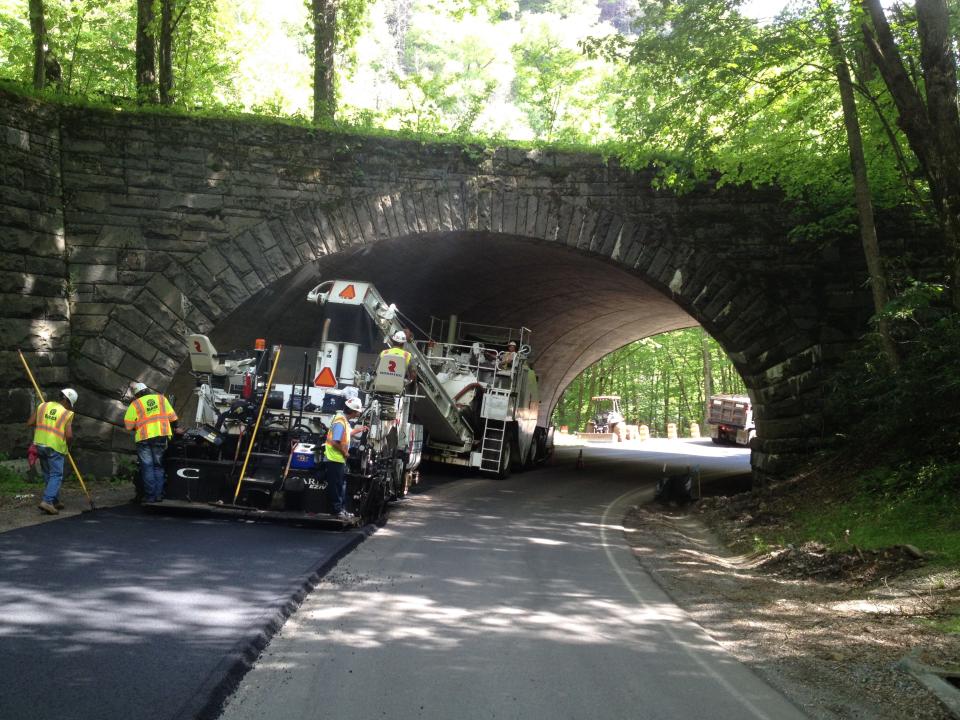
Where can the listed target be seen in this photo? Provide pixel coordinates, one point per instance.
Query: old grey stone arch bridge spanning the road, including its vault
(121, 232)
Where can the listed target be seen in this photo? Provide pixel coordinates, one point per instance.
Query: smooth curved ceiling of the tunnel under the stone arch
(578, 307)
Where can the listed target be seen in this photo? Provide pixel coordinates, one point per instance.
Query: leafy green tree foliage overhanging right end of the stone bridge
(756, 104)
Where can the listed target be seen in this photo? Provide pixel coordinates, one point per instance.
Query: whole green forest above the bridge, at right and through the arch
(816, 100)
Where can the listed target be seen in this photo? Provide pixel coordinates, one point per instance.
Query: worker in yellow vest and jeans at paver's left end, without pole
(153, 421)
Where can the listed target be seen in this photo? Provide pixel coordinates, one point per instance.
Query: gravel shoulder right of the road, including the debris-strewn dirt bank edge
(829, 630)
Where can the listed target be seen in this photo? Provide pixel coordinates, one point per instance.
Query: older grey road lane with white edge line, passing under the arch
(505, 599)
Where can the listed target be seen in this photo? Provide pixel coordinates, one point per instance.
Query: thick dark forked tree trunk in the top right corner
(931, 123)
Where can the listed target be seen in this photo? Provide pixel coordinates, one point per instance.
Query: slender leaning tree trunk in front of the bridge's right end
(861, 186)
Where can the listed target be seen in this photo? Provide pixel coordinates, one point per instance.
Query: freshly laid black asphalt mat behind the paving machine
(120, 614)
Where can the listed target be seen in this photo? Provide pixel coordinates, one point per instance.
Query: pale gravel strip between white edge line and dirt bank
(832, 647)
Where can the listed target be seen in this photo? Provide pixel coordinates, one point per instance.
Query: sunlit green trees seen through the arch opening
(659, 379)
